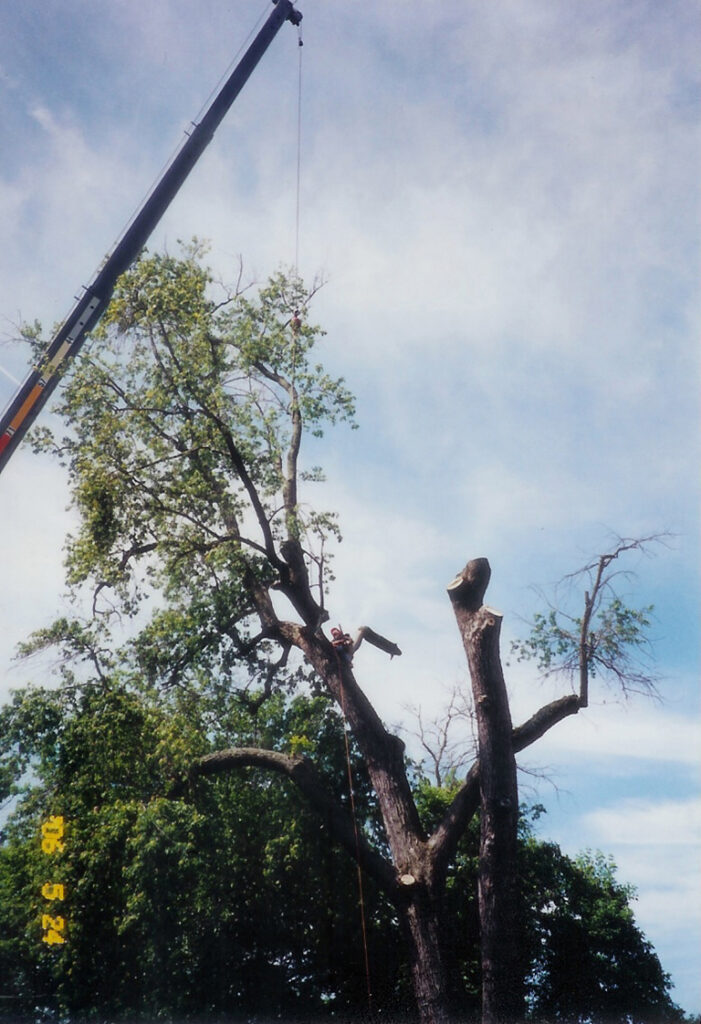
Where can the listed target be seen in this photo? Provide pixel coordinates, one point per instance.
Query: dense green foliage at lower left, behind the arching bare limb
(226, 900)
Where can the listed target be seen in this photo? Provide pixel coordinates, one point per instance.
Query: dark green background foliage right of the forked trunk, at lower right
(585, 960)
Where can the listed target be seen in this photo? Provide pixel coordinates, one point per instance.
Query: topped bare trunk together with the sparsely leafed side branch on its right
(606, 638)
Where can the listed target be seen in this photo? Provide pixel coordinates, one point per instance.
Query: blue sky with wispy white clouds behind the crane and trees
(504, 202)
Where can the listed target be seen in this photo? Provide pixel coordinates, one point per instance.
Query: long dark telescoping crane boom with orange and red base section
(40, 383)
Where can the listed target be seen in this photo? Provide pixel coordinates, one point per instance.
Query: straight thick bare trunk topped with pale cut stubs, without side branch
(499, 891)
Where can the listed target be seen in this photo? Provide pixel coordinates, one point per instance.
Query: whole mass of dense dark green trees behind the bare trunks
(228, 899)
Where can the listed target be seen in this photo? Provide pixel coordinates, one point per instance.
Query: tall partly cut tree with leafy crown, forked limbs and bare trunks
(185, 455)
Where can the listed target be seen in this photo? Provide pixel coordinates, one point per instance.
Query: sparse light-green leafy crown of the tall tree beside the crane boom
(186, 419)
